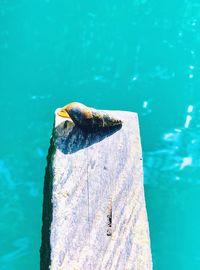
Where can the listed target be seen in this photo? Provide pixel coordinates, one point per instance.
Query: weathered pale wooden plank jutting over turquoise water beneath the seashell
(94, 214)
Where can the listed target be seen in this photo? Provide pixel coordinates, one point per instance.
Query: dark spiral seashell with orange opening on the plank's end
(88, 118)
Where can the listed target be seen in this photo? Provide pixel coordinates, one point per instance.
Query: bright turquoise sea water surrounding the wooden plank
(137, 55)
